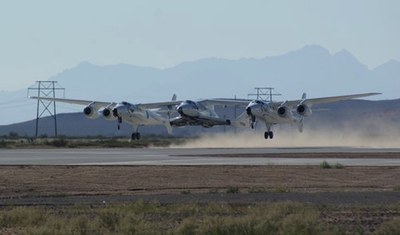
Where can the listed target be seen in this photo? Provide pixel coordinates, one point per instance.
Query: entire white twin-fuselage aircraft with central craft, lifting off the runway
(202, 112)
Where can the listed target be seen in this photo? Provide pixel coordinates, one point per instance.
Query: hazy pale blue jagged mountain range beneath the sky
(311, 69)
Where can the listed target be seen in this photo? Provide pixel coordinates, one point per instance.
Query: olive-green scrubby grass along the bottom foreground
(156, 218)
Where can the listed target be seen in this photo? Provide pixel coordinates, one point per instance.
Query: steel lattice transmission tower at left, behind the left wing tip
(46, 89)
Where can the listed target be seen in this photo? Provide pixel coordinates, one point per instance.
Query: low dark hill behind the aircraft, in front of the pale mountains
(369, 117)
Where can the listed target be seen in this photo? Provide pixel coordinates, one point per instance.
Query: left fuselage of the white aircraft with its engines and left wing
(134, 114)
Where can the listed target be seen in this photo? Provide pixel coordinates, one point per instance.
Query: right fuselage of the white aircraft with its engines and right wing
(292, 112)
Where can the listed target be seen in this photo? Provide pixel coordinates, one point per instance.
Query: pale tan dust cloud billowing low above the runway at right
(292, 138)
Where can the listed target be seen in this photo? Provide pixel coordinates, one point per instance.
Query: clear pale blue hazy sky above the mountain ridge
(43, 37)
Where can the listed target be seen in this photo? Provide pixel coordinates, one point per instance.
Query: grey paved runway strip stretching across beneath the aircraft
(200, 156)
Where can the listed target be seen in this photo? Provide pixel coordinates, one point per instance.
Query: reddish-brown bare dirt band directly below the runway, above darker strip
(22, 181)
